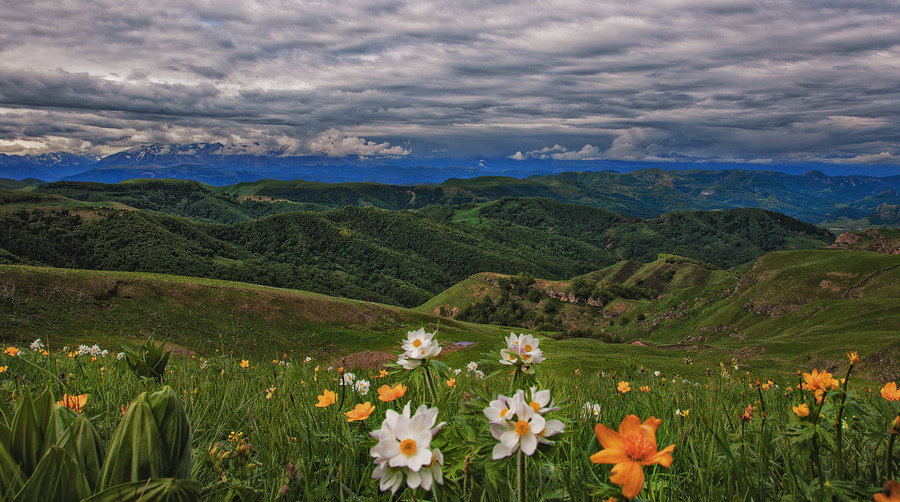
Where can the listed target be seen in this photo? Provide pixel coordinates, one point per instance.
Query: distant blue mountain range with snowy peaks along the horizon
(218, 164)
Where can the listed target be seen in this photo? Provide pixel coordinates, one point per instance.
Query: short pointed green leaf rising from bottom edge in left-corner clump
(57, 478)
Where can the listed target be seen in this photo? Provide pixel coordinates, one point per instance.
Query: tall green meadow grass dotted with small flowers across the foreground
(258, 432)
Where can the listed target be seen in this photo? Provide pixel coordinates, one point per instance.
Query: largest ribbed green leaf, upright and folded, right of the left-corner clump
(153, 440)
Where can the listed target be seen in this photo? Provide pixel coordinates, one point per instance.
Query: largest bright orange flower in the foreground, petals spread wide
(629, 449)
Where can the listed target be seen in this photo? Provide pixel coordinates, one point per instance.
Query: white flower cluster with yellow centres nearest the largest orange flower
(517, 422)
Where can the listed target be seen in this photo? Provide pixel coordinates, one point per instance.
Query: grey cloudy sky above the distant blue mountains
(749, 81)
